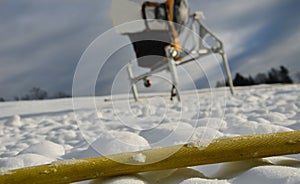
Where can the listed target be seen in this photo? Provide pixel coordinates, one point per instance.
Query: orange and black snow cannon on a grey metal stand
(155, 29)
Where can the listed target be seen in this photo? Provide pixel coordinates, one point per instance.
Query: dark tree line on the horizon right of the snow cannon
(273, 76)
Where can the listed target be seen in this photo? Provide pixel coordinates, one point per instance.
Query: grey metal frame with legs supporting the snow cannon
(196, 52)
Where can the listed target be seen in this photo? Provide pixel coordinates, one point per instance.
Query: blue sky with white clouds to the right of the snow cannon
(257, 34)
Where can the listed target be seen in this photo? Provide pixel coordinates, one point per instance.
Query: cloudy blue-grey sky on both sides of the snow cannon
(41, 42)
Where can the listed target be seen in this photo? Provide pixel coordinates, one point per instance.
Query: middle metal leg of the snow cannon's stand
(173, 71)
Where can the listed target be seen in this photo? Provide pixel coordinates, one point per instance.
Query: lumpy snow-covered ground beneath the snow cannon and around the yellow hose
(39, 132)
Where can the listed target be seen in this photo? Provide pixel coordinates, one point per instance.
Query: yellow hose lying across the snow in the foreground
(220, 150)
